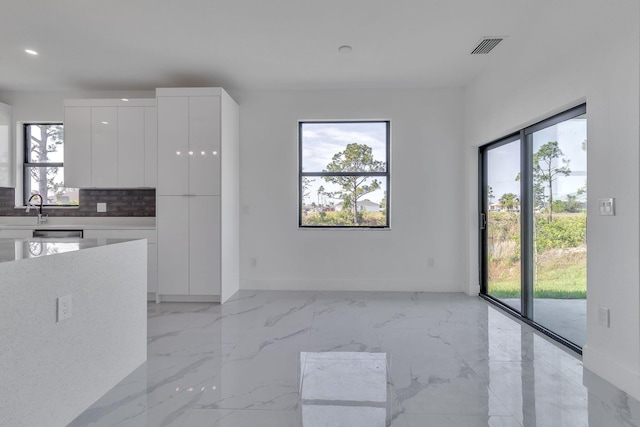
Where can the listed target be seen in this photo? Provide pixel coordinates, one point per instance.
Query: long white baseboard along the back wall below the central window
(351, 285)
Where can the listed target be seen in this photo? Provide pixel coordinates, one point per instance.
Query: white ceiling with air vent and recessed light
(254, 44)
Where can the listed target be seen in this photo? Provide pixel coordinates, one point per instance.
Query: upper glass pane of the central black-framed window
(344, 147)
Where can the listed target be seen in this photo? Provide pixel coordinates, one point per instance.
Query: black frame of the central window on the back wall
(319, 174)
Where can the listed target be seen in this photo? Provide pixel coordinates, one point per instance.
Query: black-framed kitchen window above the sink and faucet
(43, 165)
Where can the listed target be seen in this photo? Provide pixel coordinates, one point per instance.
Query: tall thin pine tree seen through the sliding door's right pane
(546, 170)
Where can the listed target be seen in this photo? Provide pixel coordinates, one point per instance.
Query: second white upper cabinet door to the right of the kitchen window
(104, 147)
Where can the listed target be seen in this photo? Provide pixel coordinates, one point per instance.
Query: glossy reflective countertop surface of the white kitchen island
(17, 249)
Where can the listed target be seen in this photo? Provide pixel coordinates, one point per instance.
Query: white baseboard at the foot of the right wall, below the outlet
(622, 377)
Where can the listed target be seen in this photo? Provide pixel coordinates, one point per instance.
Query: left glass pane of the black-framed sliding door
(503, 223)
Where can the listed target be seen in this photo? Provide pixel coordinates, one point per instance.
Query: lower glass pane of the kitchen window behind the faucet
(49, 181)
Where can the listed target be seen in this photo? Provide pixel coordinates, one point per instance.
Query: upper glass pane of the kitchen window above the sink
(44, 143)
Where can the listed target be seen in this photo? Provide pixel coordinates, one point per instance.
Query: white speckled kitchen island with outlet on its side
(51, 370)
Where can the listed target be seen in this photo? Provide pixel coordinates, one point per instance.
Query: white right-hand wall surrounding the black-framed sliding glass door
(595, 58)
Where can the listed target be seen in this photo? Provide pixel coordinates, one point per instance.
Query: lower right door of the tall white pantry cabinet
(204, 245)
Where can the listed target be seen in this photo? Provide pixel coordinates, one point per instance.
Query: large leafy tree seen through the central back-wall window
(355, 158)
